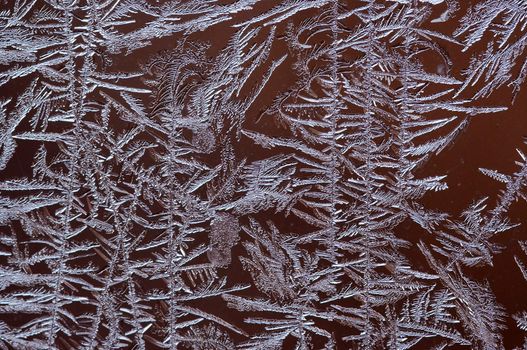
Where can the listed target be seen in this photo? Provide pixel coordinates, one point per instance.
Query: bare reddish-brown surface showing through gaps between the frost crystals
(488, 142)
